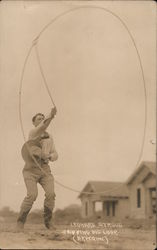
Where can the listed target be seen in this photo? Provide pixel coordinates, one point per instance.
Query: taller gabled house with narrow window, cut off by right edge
(142, 191)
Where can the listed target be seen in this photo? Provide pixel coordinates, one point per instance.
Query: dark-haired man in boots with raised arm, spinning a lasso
(37, 152)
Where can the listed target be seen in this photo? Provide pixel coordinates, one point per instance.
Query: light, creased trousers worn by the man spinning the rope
(31, 178)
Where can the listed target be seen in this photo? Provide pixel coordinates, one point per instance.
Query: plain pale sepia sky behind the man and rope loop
(94, 76)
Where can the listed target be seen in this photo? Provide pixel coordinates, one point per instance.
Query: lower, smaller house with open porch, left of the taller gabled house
(113, 197)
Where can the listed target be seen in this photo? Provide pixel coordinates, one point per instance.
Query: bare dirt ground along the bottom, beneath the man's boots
(35, 236)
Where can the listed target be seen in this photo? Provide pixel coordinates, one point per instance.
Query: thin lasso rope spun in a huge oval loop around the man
(35, 45)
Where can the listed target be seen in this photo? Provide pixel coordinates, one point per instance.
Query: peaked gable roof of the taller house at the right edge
(151, 166)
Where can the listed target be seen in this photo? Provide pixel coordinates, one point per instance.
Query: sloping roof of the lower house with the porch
(105, 189)
